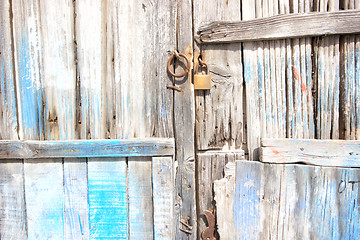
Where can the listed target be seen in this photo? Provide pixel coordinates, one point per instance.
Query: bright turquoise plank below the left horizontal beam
(108, 204)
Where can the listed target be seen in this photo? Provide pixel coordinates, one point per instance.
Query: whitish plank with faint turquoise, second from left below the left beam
(44, 195)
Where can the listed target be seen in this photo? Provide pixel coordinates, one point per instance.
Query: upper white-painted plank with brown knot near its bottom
(58, 73)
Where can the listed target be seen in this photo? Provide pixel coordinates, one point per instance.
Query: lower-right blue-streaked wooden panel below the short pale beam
(271, 198)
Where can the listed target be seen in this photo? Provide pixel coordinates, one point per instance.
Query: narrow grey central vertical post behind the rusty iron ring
(184, 124)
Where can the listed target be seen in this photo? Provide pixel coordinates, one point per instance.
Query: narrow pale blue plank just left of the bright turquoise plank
(76, 222)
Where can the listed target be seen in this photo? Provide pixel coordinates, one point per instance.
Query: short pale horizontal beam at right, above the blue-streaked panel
(339, 153)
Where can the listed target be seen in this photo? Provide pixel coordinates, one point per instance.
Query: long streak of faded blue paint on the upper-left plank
(30, 97)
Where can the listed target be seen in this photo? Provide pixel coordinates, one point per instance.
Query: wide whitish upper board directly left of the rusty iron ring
(137, 101)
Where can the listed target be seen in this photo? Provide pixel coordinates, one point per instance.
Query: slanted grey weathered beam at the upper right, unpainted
(282, 27)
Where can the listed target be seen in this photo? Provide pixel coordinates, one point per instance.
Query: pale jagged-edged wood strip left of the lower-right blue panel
(224, 190)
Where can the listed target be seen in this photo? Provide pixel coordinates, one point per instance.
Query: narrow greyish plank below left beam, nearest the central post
(163, 197)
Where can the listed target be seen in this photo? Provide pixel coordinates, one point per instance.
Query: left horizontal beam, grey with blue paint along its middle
(86, 148)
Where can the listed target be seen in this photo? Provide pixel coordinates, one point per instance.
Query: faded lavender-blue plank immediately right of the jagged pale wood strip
(247, 201)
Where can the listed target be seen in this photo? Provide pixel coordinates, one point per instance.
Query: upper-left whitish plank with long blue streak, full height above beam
(28, 69)
